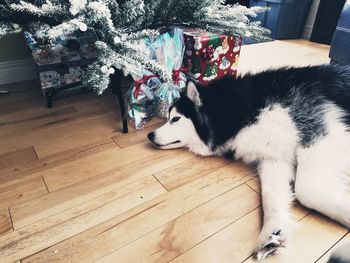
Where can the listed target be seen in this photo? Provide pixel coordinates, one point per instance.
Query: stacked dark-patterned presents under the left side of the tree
(60, 64)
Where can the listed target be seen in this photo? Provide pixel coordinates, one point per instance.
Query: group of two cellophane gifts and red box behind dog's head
(193, 54)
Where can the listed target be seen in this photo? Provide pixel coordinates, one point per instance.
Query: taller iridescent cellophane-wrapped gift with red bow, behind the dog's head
(168, 50)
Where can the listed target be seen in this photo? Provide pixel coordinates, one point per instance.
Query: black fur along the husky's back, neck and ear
(230, 104)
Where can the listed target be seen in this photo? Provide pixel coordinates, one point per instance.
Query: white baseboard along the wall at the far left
(17, 71)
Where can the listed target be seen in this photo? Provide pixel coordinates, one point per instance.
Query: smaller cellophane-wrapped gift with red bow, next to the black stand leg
(141, 99)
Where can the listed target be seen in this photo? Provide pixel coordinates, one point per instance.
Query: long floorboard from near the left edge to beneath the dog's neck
(58, 201)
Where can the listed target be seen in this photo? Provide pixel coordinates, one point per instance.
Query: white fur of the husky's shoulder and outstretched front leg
(272, 141)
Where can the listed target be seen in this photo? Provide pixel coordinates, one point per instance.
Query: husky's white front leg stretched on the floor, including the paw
(276, 177)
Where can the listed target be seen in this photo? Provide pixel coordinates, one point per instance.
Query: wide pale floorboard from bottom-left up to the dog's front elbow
(124, 229)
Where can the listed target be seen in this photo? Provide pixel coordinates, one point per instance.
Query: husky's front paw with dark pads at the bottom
(269, 244)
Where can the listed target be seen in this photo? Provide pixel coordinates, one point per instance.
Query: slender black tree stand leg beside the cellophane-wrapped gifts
(116, 86)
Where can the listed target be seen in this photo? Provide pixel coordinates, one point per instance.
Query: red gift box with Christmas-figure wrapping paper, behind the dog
(210, 56)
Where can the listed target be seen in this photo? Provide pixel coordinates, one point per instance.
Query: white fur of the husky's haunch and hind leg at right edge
(323, 171)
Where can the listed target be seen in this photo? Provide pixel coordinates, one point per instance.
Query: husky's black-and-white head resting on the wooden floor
(181, 129)
